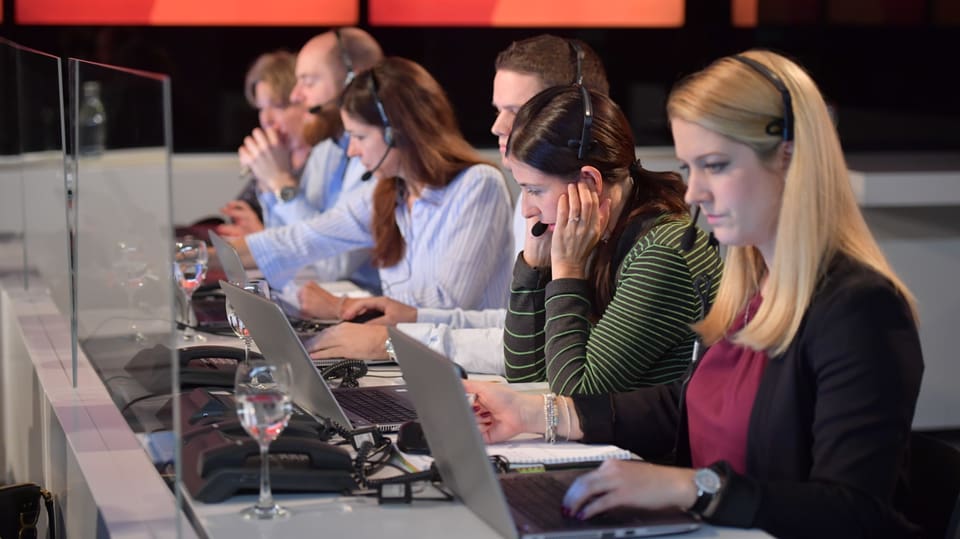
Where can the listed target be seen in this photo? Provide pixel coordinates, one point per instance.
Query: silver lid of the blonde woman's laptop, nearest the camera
(450, 428)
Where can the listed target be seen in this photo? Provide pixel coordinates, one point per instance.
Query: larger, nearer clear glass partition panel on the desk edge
(121, 130)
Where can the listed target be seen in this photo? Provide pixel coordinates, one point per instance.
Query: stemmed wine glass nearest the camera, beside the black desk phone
(264, 407)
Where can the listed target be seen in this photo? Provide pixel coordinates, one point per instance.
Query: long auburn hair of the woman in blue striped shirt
(425, 132)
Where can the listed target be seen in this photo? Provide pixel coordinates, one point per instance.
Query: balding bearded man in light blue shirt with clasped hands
(325, 65)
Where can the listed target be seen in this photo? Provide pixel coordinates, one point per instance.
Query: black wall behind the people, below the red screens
(887, 66)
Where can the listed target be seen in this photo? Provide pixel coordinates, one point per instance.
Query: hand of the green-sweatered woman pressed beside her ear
(581, 222)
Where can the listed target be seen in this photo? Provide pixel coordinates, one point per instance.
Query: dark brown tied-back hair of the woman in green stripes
(543, 137)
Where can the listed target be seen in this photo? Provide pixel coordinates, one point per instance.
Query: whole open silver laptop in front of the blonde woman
(515, 505)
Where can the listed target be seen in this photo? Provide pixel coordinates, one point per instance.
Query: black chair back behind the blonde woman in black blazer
(934, 503)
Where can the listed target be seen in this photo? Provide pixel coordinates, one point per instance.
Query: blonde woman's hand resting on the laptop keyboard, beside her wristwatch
(620, 483)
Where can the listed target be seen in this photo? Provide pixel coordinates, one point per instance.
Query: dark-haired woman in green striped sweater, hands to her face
(602, 301)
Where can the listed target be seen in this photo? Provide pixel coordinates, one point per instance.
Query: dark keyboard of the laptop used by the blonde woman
(538, 498)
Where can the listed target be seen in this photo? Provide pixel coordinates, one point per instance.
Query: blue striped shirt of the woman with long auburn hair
(458, 241)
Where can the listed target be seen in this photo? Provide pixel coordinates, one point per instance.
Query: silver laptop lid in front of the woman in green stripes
(278, 342)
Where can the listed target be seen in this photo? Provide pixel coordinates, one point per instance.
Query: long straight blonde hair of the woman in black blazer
(819, 216)
